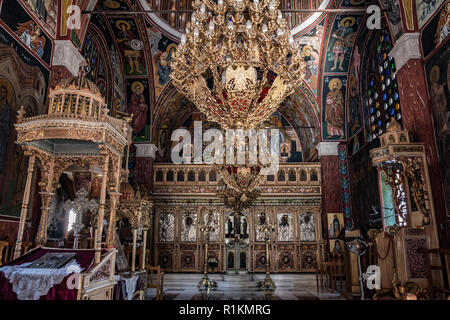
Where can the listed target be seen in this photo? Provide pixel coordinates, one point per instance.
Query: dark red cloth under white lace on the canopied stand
(84, 258)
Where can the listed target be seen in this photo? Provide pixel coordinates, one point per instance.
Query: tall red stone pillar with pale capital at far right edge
(417, 116)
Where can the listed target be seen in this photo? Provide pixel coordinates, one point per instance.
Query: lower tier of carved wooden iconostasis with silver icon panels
(296, 244)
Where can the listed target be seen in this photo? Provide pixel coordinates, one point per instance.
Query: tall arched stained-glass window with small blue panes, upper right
(382, 88)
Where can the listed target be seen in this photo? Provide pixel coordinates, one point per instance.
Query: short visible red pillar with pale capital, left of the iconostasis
(145, 154)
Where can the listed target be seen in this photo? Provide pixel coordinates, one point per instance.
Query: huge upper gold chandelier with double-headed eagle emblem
(229, 52)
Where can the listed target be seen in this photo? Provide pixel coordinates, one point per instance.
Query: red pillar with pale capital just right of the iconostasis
(330, 179)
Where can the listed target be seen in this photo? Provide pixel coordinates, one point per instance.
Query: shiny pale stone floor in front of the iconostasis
(244, 287)
